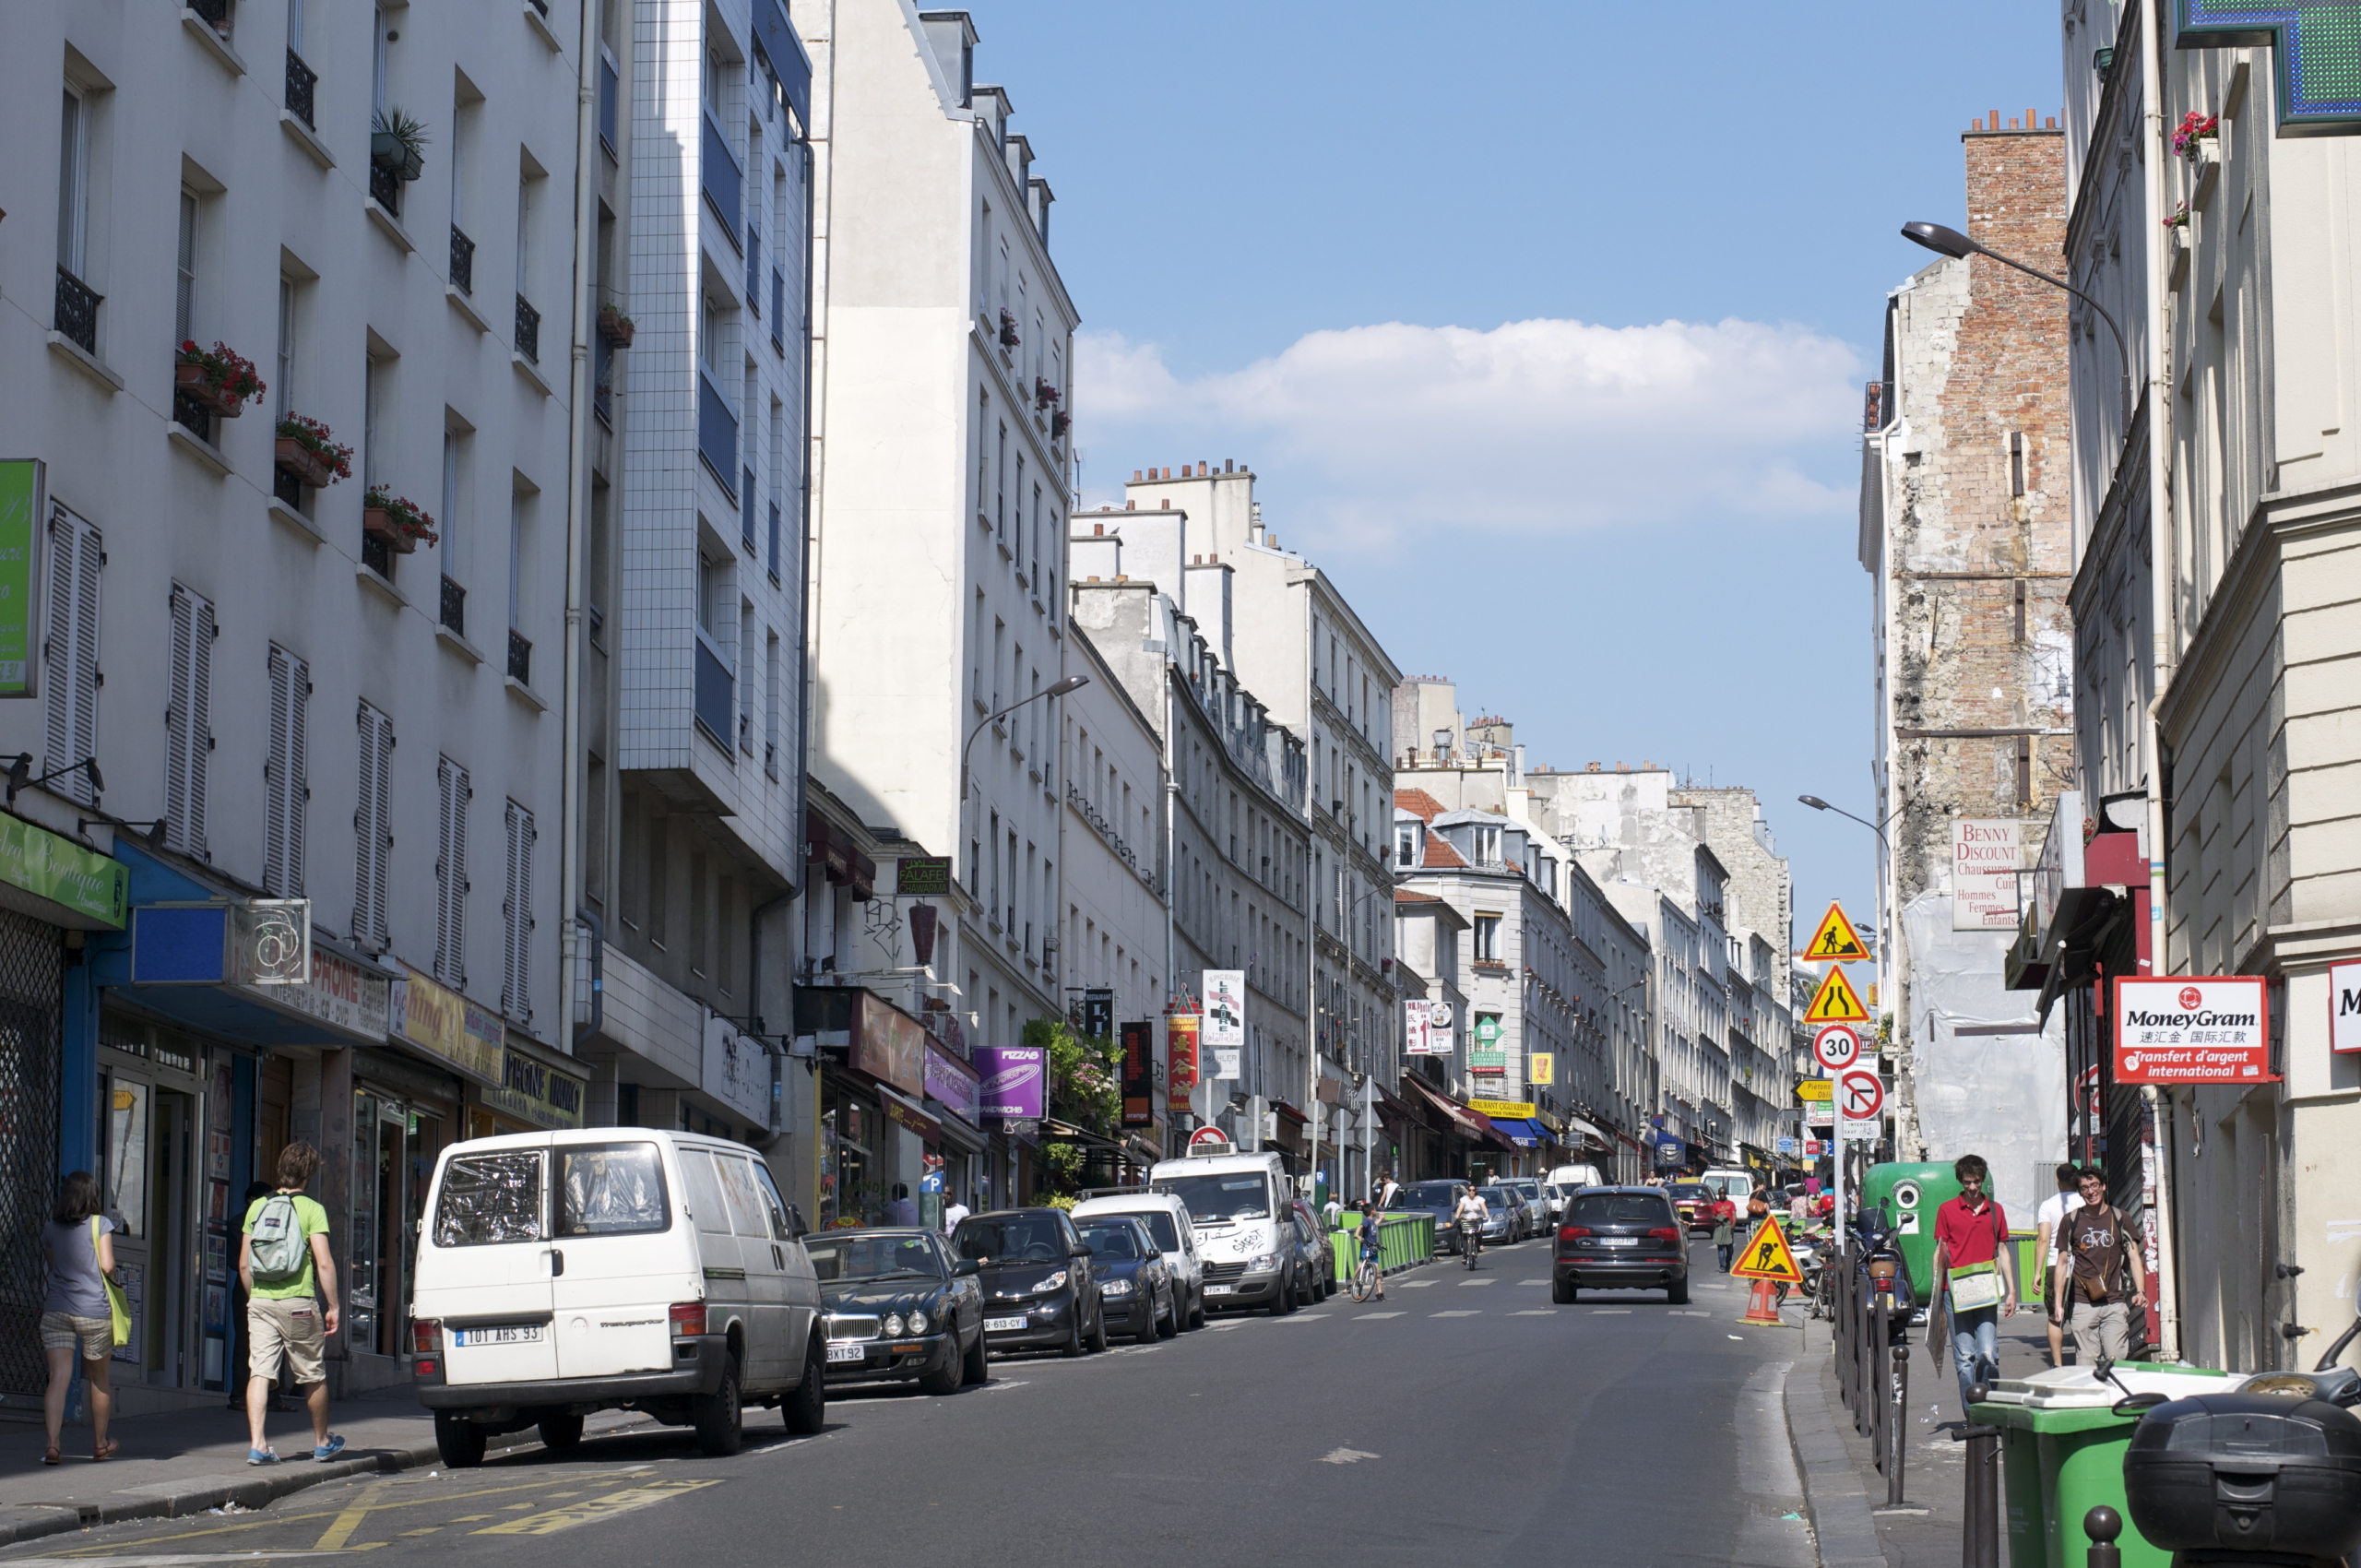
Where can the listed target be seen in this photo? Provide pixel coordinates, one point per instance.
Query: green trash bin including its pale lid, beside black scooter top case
(2062, 1456)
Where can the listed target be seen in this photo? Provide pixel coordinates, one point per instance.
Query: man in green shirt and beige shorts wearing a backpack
(285, 1265)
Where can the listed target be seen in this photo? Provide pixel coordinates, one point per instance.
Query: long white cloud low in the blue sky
(1533, 426)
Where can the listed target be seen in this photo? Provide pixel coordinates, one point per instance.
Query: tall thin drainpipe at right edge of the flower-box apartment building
(577, 511)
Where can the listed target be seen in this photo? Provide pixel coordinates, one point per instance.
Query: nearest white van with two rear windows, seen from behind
(610, 1267)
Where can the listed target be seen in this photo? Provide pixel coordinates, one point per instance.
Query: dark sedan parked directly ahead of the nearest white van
(898, 1307)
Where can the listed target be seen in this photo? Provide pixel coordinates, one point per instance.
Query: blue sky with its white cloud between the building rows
(1541, 325)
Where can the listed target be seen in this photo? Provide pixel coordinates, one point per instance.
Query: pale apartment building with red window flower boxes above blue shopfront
(287, 320)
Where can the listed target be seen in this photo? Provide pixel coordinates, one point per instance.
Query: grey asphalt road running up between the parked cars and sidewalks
(1460, 1420)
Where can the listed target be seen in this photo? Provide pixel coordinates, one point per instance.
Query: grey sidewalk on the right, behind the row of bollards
(1847, 1498)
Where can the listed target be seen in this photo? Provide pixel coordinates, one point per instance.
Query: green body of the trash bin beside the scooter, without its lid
(2055, 1468)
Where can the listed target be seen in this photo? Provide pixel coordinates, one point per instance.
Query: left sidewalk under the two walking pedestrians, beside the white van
(195, 1461)
